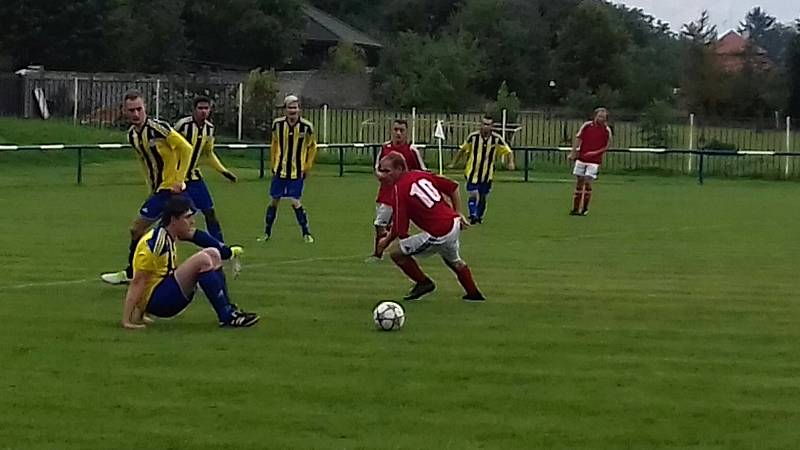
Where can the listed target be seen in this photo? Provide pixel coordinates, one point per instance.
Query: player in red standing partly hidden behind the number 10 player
(385, 200)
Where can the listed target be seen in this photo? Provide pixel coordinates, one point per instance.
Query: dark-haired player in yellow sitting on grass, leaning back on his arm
(161, 289)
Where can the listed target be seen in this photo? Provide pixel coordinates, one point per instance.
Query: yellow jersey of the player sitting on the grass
(155, 254)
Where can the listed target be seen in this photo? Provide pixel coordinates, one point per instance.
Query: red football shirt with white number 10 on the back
(419, 198)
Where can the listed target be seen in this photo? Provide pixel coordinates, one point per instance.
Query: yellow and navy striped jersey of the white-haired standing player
(293, 149)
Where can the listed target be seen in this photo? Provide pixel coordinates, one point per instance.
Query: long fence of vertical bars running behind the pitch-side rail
(97, 101)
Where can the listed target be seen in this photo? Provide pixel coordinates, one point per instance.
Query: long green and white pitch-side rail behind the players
(700, 157)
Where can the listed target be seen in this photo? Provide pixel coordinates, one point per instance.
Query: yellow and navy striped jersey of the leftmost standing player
(163, 153)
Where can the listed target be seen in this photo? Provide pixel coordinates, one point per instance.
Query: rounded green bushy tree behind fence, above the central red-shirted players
(428, 73)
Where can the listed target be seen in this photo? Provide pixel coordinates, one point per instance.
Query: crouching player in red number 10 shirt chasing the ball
(431, 202)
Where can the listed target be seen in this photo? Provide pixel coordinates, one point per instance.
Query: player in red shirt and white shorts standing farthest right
(591, 143)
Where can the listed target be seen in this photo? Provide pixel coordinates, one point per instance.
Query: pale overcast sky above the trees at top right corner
(726, 14)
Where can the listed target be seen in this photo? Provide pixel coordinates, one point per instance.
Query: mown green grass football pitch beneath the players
(665, 319)
